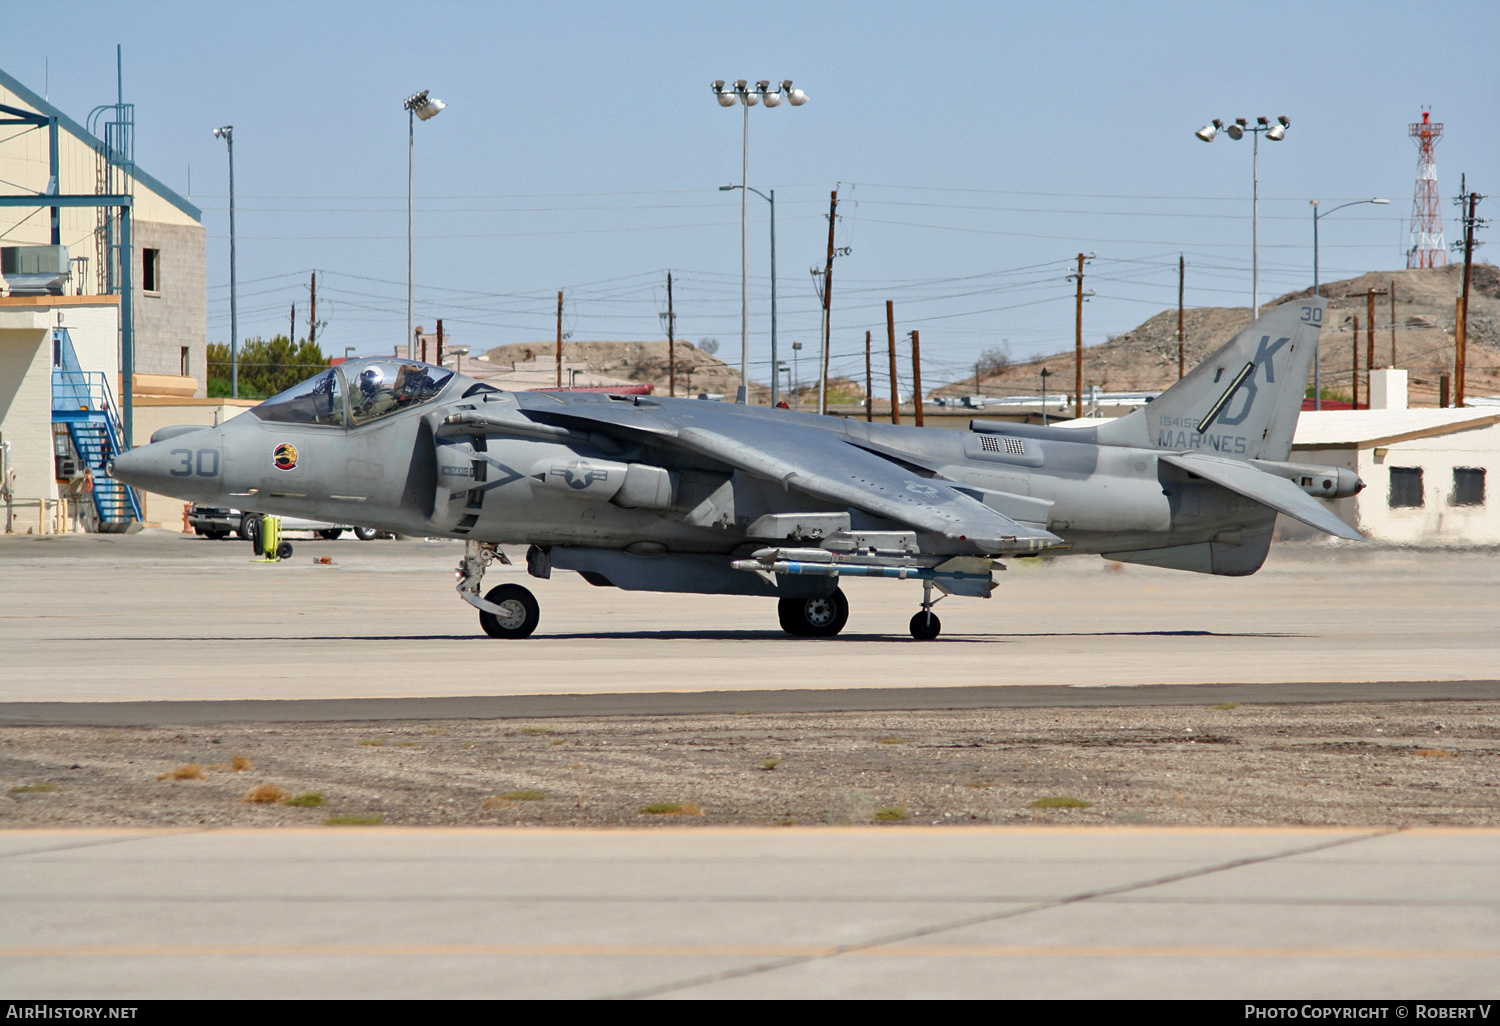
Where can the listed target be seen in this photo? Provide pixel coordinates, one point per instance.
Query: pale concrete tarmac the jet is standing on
(166, 617)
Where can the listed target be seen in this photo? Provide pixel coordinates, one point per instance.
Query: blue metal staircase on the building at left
(83, 401)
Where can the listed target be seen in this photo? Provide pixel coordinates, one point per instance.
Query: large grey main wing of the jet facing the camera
(823, 464)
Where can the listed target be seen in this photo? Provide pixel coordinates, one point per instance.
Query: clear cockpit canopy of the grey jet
(356, 392)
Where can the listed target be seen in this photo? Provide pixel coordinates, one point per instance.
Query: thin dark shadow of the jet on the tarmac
(713, 635)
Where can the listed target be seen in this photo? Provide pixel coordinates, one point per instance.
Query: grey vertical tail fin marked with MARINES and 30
(1243, 401)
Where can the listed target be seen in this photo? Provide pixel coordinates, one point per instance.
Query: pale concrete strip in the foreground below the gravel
(782, 913)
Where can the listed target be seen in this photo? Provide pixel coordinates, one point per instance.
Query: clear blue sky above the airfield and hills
(980, 148)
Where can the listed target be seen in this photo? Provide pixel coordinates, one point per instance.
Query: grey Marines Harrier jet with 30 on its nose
(689, 496)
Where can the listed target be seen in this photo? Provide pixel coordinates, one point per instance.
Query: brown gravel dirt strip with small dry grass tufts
(1369, 764)
